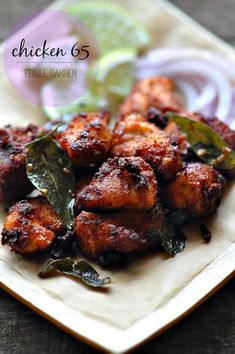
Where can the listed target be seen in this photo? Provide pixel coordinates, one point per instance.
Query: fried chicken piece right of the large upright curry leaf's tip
(87, 138)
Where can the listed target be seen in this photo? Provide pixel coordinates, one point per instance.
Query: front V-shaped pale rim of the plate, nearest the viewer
(120, 341)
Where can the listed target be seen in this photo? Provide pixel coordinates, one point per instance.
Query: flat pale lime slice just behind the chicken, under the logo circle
(90, 102)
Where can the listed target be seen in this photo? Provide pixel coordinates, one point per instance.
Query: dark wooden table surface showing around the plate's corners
(208, 330)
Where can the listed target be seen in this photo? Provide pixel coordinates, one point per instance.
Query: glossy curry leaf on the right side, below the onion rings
(206, 143)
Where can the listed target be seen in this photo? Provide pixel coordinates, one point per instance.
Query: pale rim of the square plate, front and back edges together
(122, 341)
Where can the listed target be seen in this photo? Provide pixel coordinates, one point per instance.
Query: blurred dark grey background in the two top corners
(216, 15)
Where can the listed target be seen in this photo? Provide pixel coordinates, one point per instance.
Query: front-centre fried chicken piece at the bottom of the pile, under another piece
(100, 234)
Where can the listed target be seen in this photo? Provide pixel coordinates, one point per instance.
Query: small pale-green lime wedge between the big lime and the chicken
(113, 72)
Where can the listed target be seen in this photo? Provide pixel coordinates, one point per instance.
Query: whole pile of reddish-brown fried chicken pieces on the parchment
(127, 179)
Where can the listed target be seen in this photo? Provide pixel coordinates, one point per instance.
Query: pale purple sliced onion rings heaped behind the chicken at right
(204, 78)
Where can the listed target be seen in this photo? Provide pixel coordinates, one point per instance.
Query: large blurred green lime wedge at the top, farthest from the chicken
(112, 25)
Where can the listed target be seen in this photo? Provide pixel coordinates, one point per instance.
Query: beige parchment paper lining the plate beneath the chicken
(152, 279)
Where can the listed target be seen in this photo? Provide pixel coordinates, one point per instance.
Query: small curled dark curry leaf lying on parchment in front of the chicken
(81, 270)
